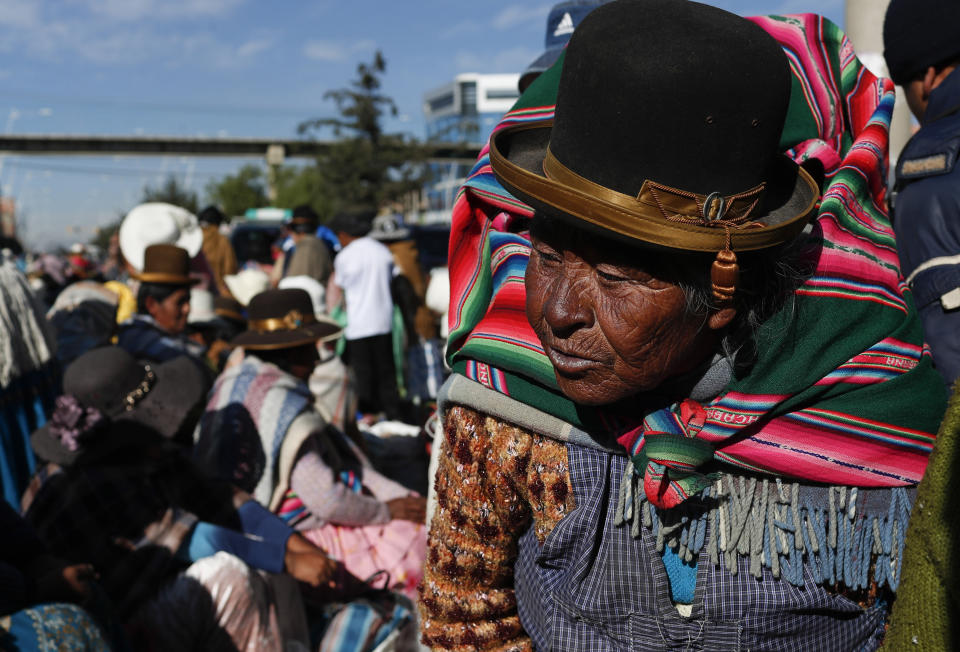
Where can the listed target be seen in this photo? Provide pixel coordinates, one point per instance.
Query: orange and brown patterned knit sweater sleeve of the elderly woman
(494, 481)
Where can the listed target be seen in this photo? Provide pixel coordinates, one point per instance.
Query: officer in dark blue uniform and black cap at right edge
(922, 50)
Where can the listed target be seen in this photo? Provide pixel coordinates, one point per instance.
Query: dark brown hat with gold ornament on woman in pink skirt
(282, 319)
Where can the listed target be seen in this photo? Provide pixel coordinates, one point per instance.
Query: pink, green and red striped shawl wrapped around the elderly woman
(843, 391)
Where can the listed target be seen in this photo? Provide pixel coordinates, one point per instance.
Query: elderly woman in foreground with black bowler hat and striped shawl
(706, 431)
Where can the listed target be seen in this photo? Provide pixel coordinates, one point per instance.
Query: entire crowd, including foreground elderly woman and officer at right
(700, 371)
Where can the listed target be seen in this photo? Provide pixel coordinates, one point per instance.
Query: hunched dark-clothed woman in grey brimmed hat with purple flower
(117, 494)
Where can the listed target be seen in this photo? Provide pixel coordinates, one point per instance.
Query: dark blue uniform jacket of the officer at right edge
(926, 219)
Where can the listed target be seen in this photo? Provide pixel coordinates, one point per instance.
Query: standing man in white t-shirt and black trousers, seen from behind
(363, 270)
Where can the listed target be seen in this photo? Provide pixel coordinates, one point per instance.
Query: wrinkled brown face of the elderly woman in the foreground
(609, 325)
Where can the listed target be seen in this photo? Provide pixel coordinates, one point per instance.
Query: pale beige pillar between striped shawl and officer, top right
(864, 27)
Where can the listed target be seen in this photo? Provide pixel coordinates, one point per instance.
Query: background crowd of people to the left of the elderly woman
(188, 462)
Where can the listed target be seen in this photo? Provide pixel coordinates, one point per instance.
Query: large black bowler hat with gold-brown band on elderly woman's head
(666, 132)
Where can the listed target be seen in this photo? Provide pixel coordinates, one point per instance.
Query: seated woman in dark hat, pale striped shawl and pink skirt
(263, 431)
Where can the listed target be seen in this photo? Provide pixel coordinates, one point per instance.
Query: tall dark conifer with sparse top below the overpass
(364, 166)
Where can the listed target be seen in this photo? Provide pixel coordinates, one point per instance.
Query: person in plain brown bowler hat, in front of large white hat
(156, 332)
